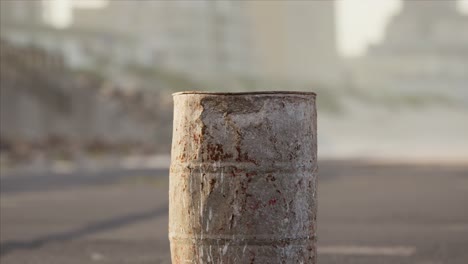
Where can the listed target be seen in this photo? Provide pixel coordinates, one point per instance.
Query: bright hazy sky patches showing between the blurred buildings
(359, 22)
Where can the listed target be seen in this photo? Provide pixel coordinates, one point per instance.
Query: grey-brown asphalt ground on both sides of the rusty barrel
(367, 214)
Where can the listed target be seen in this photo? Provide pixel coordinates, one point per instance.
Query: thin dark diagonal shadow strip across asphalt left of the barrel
(8, 247)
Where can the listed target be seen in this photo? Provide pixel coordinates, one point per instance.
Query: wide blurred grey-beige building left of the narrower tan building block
(202, 39)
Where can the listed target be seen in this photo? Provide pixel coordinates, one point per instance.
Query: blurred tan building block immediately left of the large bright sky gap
(295, 40)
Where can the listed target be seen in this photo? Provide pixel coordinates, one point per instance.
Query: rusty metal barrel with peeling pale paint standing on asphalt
(243, 178)
